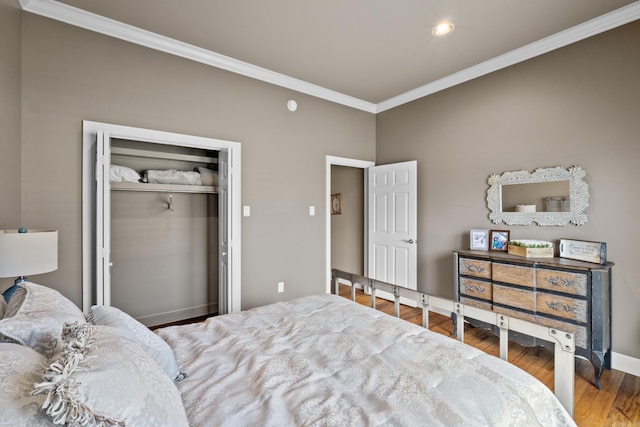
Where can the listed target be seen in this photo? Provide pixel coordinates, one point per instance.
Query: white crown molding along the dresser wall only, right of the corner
(590, 28)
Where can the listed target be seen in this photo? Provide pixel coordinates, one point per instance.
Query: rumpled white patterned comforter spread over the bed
(326, 361)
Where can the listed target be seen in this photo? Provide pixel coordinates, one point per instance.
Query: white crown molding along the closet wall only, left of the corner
(99, 24)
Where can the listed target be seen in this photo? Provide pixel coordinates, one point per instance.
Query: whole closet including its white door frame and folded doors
(161, 223)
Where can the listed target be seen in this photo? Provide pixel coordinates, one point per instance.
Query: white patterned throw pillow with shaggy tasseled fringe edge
(104, 379)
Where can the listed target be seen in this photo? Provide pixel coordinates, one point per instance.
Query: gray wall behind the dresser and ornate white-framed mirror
(575, 106)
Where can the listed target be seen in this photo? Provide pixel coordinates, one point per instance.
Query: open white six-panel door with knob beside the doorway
(392, 249)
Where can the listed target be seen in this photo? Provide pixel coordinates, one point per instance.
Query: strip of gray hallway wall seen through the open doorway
(347, 229)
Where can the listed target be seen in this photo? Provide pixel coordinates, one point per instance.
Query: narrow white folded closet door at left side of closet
(103, 219)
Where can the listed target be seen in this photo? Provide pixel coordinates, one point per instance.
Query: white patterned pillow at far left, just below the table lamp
(35, 316)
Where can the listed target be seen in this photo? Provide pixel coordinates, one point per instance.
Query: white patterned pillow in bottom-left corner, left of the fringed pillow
(20, 368)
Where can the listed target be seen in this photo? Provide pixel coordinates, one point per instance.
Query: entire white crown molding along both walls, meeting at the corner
(92, 22)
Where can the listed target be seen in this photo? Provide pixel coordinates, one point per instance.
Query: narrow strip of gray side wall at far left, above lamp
(10, 182)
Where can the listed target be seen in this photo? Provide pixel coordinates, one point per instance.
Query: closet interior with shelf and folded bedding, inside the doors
(164, 232)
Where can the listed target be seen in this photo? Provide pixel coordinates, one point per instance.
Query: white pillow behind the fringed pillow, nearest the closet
(150, 342)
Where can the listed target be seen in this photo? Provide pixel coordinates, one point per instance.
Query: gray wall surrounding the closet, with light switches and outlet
(70, 75)
